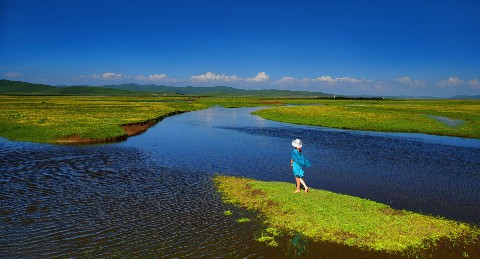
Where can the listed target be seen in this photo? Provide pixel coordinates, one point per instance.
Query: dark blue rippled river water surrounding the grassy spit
(152, 196)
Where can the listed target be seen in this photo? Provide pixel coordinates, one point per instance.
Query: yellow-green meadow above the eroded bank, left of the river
(49, 119)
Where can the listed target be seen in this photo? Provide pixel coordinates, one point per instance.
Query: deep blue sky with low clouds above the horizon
(341, 47)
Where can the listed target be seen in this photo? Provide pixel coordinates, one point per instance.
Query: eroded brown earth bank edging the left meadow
(130, 129)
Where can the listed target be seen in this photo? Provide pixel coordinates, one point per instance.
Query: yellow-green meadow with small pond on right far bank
(416, 116)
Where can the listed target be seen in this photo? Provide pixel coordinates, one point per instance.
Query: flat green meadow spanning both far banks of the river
(49, 119)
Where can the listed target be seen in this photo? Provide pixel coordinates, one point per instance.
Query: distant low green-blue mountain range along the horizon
(24, 88)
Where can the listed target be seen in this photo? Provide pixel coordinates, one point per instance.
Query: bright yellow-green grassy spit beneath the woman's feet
(325, 216)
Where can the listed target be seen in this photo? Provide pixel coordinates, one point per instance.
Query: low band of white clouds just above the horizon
(339, 85)
